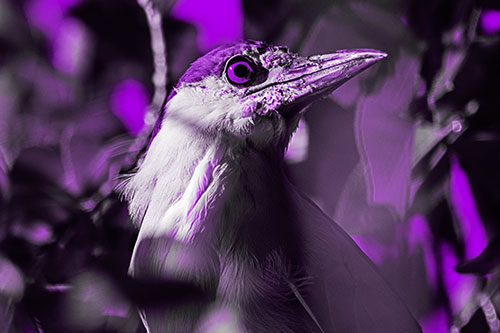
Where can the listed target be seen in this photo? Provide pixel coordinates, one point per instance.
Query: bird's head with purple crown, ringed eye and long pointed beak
(256, 93)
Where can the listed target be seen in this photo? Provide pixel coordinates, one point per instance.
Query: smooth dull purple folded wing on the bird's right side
(347, 294)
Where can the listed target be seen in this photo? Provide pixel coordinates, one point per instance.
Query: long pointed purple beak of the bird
(310, 78)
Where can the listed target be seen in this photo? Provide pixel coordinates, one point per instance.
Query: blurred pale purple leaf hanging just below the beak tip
(385, 137)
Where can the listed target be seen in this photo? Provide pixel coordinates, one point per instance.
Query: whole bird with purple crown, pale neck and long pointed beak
(214, 206)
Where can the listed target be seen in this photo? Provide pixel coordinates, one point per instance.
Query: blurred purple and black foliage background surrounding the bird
(405, 157)
